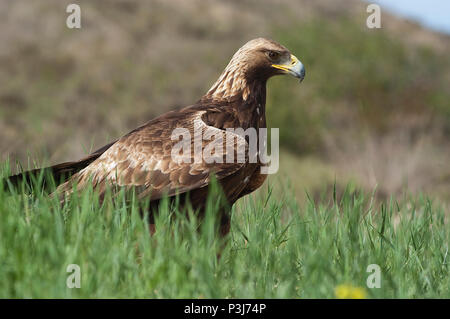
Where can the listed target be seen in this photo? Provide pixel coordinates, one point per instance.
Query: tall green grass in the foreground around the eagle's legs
(275, 249)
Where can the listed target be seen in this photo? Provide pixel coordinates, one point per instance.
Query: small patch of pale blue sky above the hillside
(433, 14)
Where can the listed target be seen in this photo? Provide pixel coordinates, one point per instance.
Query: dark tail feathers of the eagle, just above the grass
(59, 173)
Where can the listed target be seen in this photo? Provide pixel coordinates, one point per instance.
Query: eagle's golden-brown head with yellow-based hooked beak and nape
(256, 61)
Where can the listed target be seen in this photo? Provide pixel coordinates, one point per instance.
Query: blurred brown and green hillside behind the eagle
(373, 111)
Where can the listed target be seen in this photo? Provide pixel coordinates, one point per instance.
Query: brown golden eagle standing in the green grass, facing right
(143, 159)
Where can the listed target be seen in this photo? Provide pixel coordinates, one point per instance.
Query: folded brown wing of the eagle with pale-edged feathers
(143, 158)
